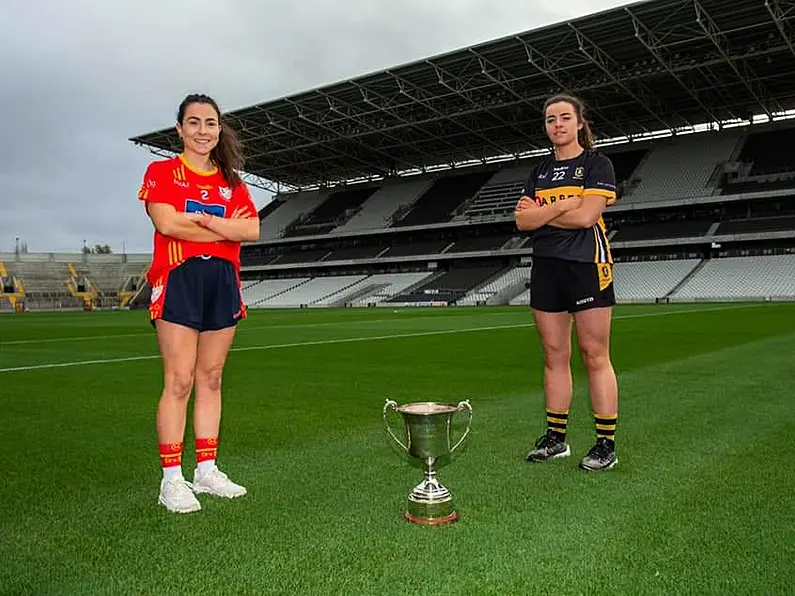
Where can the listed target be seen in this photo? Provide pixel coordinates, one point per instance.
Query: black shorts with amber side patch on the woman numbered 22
(557, 285)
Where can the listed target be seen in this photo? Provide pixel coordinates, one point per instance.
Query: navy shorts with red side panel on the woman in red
(202, 293)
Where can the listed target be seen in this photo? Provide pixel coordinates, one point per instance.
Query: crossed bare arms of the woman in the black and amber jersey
(570, 214)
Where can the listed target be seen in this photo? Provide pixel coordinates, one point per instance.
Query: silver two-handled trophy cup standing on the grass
(427, 440)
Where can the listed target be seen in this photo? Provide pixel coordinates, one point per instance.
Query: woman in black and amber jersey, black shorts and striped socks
(572, 277)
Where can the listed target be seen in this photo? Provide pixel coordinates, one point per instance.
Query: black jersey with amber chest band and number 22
(590, 173)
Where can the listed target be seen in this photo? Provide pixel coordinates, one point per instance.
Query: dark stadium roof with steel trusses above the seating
(661, 65)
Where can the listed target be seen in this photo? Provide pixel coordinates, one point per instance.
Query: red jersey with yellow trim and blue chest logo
(189, 190)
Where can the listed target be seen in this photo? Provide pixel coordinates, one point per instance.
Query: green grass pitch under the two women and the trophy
(701, 501)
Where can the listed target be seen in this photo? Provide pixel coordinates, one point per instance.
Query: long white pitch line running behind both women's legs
(321, 342)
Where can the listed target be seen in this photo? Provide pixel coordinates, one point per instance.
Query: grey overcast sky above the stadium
(79, 77)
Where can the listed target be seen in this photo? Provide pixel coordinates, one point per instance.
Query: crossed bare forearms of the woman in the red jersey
(203, 227)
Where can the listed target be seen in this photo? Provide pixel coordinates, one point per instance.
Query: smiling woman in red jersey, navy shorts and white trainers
(201, 211)
